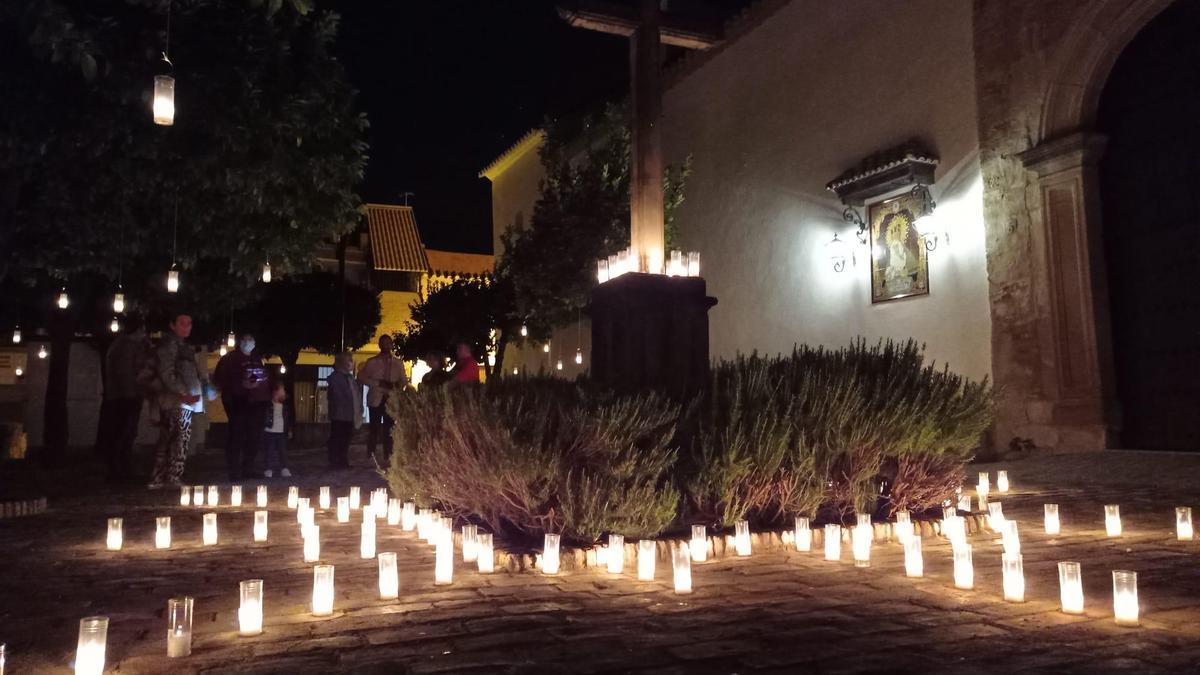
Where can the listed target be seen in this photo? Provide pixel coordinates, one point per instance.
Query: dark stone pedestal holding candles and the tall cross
(651, 331)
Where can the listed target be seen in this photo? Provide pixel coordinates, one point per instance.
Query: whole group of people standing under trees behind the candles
(171, 380)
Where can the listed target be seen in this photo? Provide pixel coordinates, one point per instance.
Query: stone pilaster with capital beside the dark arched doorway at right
(1075, 332)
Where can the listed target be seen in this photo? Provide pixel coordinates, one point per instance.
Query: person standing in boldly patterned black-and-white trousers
(178, 385)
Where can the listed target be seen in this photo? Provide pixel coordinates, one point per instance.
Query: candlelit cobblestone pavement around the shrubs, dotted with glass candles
(778, 612)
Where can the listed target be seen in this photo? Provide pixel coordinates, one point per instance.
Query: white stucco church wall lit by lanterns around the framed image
(787, 109)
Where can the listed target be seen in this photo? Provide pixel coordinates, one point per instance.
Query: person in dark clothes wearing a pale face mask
(245, 393)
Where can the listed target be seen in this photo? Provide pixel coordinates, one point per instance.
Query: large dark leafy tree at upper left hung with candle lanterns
(260, 165)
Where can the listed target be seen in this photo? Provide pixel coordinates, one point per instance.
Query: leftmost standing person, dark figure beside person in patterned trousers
(122, 407)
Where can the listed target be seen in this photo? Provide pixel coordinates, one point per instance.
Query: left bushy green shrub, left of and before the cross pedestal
(539, 456)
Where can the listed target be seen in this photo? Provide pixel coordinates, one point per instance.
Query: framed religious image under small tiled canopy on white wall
(899, 262)
